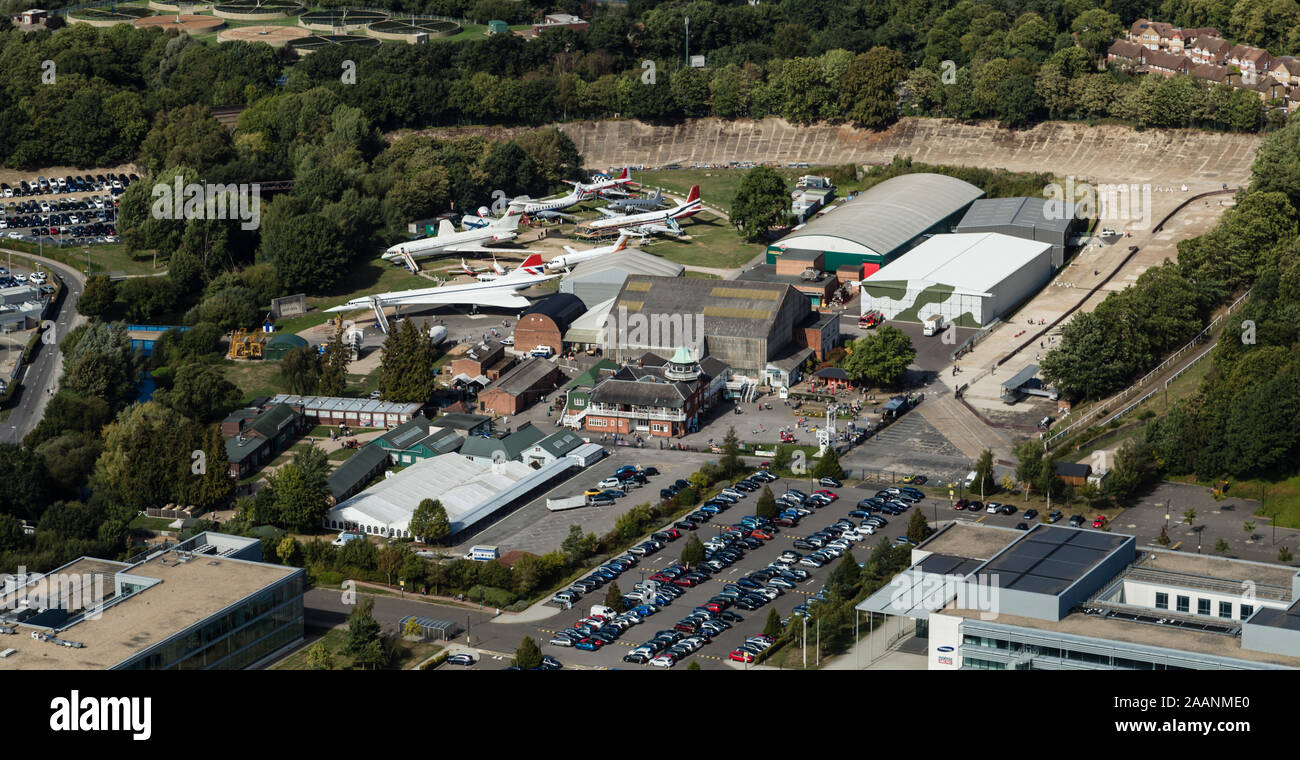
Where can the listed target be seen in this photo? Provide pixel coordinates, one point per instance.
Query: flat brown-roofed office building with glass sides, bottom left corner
(207, 603)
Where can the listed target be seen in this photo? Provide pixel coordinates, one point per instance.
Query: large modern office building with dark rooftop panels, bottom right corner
(1067, 600)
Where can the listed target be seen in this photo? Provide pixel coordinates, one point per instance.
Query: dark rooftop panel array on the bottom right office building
(1050, 559)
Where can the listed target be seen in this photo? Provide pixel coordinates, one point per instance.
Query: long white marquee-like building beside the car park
(469, 490)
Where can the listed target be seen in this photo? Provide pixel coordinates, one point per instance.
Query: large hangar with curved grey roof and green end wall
(883, 223)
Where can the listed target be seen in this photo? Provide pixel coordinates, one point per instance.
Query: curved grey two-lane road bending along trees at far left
(41, 379)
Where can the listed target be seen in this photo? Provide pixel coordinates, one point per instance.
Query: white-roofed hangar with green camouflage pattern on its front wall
(969, 280)
